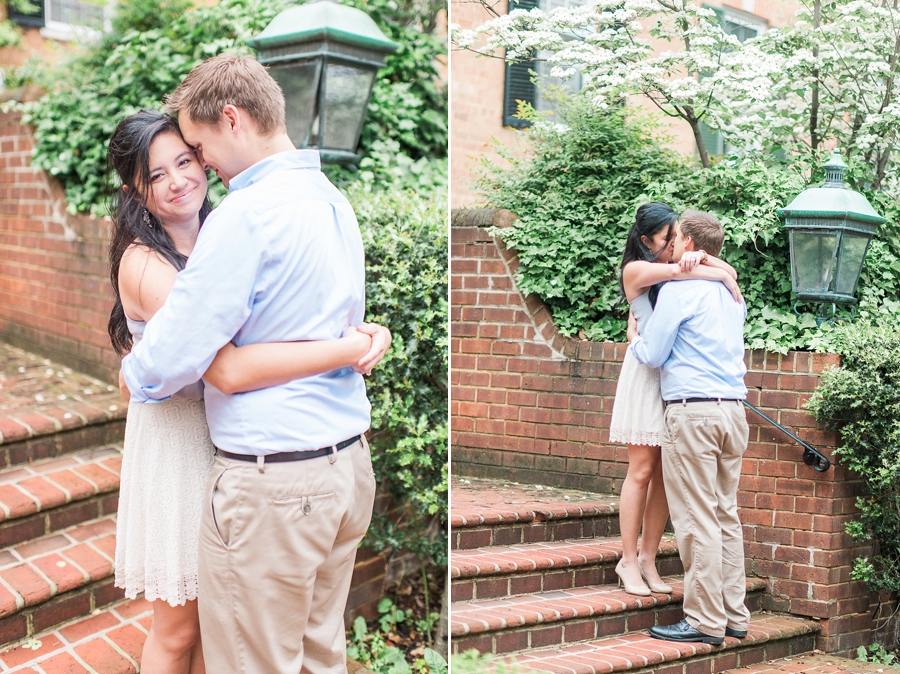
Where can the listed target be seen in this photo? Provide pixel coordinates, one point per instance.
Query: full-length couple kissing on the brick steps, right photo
(679, 408)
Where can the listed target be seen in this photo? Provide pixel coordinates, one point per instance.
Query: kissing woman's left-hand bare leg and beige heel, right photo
(642, 463)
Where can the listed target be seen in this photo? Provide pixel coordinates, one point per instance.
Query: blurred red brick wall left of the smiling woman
(55, 294)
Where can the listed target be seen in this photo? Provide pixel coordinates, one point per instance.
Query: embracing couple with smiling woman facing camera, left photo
(246, 477)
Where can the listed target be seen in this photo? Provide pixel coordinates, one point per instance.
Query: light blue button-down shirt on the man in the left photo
(280, 260)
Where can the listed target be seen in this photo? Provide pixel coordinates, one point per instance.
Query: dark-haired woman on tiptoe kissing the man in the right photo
(638, 409)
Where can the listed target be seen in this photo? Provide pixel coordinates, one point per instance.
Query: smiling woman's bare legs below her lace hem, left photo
(174, 637)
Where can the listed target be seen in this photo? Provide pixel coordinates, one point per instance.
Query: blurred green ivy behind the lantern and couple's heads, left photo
(153, 46)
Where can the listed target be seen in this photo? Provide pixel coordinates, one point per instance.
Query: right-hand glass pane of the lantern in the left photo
(346, 101)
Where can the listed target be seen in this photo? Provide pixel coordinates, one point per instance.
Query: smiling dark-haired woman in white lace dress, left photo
(157, 215)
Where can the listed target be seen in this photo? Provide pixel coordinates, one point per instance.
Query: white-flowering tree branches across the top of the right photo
(831, 78)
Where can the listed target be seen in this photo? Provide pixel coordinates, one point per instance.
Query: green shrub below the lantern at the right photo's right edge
(861, 399)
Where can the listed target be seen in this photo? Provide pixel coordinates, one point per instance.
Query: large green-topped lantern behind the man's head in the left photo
(324, 55)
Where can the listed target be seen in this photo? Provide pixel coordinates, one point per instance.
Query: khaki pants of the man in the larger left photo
(277, 550)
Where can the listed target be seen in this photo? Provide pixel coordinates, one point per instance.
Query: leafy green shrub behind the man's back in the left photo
(405, 238)
